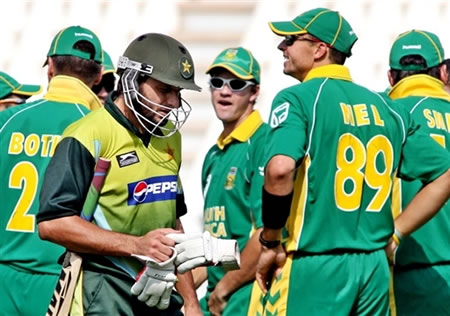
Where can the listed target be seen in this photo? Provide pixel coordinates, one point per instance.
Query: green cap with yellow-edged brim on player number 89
(324, 24)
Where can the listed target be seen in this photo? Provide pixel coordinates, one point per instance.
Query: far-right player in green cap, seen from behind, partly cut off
(422, 262)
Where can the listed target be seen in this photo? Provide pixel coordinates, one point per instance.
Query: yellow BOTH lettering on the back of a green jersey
(33, 144)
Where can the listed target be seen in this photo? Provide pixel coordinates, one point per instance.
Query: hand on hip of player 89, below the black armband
(270, 264)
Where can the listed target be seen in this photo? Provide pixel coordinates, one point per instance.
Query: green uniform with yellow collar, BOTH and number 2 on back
(28, 137)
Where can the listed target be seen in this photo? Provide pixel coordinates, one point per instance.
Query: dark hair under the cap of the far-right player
(415, 60)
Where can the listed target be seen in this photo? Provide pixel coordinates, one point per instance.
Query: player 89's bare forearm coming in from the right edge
(424, 205)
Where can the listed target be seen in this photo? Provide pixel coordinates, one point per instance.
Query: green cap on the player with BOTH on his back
(64, 41)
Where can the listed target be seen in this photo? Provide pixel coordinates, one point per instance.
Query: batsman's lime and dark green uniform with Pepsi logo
(142, 192)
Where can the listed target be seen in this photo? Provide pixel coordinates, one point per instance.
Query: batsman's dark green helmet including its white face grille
(164, 59)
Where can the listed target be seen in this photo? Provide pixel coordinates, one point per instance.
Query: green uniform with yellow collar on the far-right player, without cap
(422, 261)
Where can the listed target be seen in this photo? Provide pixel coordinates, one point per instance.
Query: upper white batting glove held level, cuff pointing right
(201, 249)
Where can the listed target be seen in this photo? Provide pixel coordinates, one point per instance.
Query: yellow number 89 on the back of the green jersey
(350, 166)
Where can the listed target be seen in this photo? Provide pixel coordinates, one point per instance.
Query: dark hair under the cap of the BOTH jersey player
(83, 69)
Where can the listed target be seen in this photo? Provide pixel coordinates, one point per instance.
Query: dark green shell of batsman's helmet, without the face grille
(162, 58)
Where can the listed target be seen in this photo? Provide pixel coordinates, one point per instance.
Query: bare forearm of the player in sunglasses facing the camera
(233, 280)
